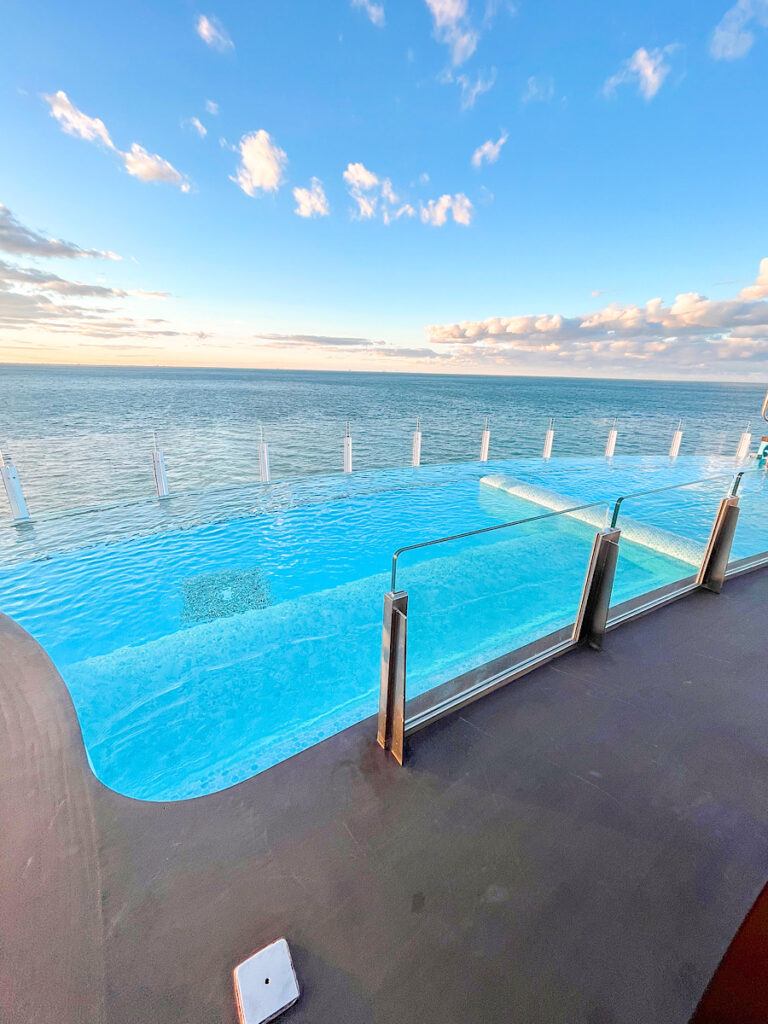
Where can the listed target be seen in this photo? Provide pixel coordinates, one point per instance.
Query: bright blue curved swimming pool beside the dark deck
(201, 648)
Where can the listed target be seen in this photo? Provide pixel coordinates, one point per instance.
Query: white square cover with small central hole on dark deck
(266, 985)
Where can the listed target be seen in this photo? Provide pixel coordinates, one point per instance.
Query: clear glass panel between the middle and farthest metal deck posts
(664, 536)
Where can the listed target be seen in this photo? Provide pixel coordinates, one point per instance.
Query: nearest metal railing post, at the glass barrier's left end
(393, 687)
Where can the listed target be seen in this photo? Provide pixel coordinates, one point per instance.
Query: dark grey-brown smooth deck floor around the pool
(581, 846)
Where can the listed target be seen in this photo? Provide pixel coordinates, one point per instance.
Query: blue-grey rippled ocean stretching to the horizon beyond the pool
(83, 436)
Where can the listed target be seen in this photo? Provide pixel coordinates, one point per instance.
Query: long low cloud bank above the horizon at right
(692, 333)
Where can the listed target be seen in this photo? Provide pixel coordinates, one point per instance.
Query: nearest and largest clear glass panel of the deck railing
(481, 598)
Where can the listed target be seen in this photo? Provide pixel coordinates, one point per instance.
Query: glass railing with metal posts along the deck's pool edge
(481, 609)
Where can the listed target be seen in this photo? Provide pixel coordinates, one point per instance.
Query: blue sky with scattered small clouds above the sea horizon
(433, 186)
